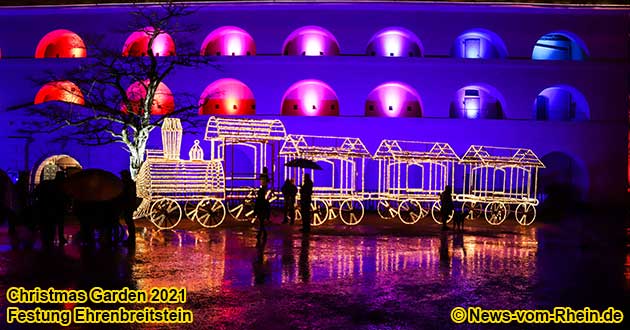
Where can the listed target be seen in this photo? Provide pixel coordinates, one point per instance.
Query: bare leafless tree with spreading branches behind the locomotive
(111, 111)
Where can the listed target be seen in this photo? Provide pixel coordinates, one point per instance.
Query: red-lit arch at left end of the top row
(61, 44)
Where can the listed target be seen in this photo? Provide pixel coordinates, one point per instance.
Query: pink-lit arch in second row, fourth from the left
(310, 98)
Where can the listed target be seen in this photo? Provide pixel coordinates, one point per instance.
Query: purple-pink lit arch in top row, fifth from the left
(395, 42)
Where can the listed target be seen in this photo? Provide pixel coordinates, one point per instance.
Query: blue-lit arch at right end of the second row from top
(561, 103)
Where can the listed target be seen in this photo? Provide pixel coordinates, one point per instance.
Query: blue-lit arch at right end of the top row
(560, 45)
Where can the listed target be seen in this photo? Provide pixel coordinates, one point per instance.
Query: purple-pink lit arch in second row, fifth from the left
(393, 99)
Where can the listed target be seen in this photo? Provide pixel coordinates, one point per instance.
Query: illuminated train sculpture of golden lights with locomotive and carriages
(411, 175)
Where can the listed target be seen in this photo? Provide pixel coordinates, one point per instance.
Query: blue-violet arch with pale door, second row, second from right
(478, 101)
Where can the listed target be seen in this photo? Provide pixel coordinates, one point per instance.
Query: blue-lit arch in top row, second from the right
(479, 43)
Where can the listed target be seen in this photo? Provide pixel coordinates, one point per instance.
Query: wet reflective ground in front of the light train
(381, 274)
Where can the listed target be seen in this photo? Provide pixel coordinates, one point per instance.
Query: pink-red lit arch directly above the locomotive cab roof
(227, 97)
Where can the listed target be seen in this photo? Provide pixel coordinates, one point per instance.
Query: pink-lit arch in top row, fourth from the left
(311, 41)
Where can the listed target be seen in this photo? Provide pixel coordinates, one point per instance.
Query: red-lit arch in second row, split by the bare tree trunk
(163, 101)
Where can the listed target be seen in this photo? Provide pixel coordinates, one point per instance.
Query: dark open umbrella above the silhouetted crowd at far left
(93, 185)
